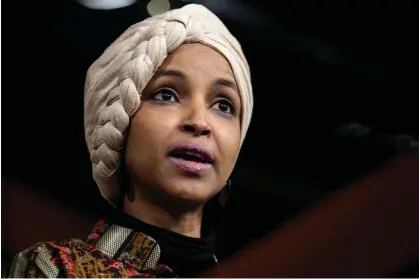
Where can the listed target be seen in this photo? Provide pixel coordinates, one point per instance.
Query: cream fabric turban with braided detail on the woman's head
(115, 81)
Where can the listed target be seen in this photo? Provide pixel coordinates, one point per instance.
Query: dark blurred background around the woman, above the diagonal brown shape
(335, 87)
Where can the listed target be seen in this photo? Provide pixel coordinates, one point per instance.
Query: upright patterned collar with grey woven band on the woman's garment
(125, 245)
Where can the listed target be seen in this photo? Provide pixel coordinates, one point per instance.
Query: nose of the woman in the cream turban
(196, 122)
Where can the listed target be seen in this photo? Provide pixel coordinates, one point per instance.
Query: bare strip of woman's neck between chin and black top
(186, 223)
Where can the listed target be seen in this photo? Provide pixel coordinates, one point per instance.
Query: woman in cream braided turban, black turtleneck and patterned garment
(167, 107)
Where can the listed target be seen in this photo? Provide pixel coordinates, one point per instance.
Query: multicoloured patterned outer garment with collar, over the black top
(110, 251)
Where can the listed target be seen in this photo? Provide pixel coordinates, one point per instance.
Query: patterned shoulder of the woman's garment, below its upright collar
(73, 258)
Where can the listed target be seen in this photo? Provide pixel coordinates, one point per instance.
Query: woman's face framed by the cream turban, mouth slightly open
(184, 139)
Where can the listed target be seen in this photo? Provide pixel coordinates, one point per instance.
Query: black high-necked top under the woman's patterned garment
(187, 256)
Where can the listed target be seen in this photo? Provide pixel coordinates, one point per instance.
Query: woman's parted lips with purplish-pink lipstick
(189, 166)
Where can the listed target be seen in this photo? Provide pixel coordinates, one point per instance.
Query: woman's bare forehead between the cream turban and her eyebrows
(197, 58)
